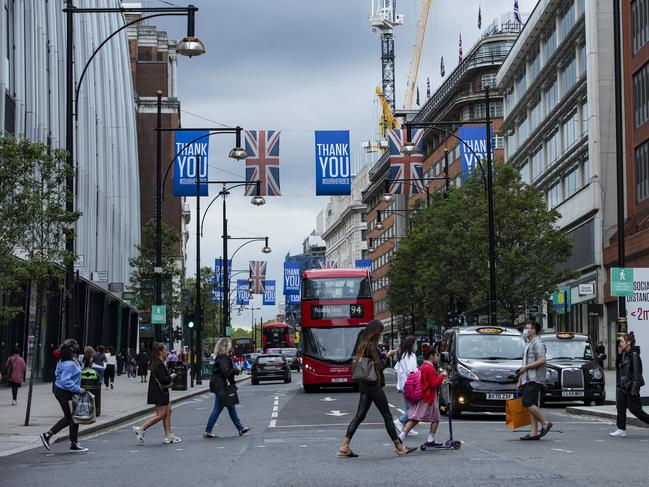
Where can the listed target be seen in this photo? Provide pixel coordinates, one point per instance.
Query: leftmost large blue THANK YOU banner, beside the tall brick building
(189, 151)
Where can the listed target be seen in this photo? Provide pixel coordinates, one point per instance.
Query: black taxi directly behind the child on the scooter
(481, 363)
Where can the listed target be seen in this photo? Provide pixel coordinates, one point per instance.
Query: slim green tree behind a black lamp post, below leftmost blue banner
(142, 277)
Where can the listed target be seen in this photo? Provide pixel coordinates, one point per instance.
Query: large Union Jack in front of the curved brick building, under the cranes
(404, 167)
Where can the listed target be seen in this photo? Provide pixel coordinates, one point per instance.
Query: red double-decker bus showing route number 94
(336, 304)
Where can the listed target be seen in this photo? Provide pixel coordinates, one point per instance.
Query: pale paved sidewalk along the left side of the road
(126, 401)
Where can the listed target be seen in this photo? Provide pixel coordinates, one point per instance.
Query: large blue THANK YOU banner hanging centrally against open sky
(333, 166)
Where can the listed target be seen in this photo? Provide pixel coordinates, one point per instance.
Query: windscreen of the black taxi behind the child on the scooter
(490, 347)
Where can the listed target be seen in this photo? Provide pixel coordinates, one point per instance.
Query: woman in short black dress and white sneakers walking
(159, 385)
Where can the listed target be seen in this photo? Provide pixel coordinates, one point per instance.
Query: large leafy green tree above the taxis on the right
(445, 256)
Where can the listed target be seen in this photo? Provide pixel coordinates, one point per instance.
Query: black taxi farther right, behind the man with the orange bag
(572, 371)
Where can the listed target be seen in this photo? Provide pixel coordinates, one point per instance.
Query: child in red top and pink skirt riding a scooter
(427, 409)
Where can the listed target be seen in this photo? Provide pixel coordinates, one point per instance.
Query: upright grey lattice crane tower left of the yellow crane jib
(383, 21)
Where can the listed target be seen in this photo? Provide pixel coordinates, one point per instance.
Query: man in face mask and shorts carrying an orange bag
(531, 378)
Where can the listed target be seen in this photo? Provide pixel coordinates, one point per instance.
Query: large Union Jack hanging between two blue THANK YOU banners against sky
(262, 164)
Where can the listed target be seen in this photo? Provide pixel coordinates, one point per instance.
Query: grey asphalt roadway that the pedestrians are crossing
(295, 437)
